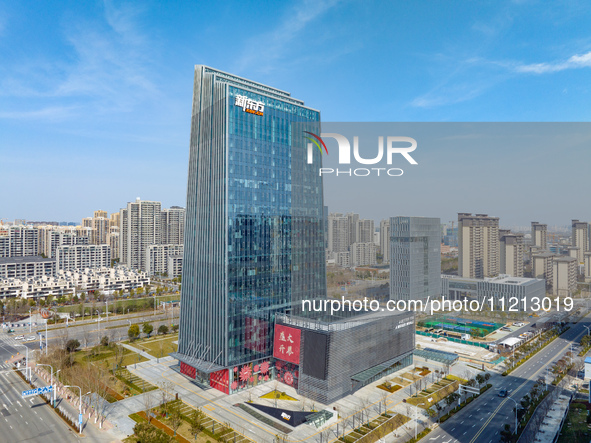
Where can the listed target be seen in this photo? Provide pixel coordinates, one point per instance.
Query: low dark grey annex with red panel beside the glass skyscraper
(336, 358)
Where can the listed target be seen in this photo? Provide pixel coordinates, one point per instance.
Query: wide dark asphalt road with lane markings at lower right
(483, 419)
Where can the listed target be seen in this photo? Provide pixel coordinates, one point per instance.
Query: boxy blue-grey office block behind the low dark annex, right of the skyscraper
(415, 258)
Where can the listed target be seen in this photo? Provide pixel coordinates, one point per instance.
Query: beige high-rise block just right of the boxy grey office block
(478, 245)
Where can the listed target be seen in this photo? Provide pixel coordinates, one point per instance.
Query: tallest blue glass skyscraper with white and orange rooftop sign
(254, 238)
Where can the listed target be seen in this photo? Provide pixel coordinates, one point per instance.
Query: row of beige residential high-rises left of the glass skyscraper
(126, 235)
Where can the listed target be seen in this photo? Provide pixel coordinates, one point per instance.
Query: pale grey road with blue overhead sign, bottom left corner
(28, 419)
